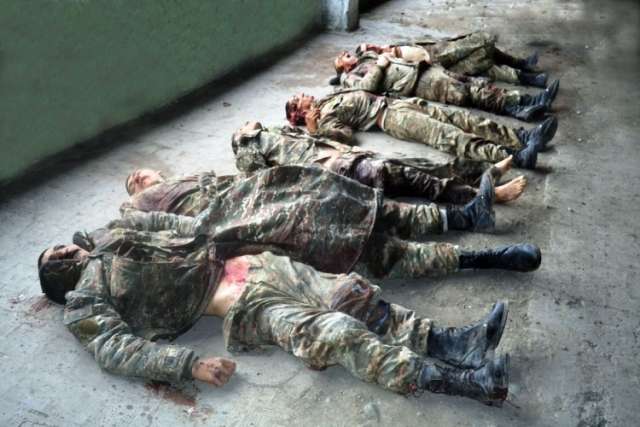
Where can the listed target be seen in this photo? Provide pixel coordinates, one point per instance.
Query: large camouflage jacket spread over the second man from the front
(309, 214)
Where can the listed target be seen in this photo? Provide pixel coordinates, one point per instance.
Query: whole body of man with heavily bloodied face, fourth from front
(453, 131)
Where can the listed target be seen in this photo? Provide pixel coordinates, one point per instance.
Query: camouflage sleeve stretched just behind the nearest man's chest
(184, 226)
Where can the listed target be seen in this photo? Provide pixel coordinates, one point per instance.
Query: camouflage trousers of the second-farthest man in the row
(438, 84)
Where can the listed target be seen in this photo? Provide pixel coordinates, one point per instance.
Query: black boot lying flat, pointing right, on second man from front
(521, 257)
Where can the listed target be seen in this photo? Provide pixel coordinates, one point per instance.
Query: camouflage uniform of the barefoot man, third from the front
(444, 181)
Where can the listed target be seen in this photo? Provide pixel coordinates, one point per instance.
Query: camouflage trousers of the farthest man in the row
(476, 55)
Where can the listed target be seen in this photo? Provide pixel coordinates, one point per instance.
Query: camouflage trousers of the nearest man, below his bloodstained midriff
(327, 319)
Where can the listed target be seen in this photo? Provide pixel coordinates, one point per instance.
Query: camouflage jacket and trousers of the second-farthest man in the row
(433, 83)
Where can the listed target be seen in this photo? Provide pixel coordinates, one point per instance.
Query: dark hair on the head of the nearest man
(57, 277)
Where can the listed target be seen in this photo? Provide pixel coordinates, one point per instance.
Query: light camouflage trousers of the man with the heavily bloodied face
(452, 131)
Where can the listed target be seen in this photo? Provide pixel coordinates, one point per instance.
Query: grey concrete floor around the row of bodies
(573, 331)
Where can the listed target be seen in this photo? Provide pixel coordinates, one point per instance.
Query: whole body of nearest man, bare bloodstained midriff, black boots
(142, 285)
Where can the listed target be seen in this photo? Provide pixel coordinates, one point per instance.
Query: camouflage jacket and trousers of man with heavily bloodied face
(453, 131)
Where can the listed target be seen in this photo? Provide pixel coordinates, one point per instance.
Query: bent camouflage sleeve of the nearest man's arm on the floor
(97, 325)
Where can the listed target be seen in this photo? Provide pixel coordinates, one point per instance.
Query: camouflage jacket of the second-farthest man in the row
(398, 79)
